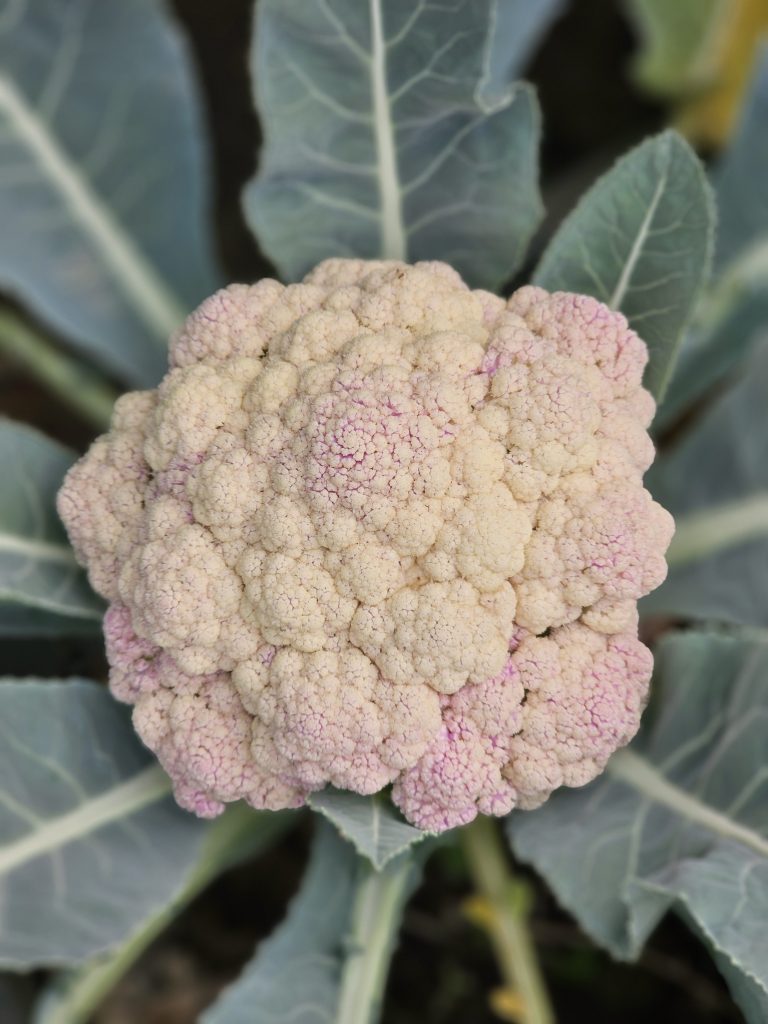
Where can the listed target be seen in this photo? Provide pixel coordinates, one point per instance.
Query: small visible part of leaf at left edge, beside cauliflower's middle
(38, 573)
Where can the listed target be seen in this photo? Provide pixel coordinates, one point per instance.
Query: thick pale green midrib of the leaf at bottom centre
(375, 920)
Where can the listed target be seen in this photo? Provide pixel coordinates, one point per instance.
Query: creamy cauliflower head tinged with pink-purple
(377, 529)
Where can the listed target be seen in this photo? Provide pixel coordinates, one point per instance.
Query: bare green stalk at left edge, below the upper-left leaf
(82, 390)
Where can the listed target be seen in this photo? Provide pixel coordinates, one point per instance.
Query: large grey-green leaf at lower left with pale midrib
(91, 842)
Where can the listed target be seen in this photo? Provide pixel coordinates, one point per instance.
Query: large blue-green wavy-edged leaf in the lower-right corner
(679, 822)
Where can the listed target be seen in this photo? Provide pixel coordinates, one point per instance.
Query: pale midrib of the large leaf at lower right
(643, 777)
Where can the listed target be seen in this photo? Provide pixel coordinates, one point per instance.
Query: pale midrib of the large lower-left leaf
(143, 790)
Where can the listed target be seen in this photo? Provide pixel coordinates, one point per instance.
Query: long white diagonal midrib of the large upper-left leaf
(159, 310)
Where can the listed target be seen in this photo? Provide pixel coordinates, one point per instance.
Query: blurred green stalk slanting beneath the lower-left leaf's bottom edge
(241, 833)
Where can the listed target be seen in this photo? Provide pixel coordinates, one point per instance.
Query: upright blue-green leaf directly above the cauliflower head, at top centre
(395, 131)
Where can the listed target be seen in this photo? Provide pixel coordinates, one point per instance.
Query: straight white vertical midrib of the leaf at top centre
(393, 229)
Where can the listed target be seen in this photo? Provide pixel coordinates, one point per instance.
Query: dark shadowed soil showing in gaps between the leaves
(444, 970)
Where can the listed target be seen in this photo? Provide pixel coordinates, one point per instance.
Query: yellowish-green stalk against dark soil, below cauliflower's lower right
(505, 903)
